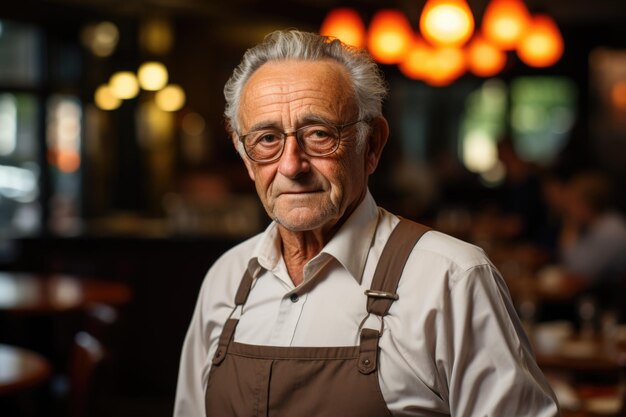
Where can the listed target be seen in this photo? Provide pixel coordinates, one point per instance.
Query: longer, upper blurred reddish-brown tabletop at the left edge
(39, 294)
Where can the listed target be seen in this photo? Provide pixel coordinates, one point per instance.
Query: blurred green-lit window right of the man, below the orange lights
(537, 112)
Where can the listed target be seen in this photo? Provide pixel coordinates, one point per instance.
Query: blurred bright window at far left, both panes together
(24, 139)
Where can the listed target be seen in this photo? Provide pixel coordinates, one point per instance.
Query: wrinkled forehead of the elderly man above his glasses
(287, 90)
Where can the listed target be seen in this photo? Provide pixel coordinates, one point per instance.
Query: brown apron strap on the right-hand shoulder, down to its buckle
(391, 264)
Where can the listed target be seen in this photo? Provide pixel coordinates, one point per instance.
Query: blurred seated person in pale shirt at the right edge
(593, 235)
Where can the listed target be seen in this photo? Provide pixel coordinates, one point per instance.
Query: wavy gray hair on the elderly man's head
(367, 80)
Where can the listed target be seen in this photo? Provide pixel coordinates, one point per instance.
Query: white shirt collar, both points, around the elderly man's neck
(349, 246)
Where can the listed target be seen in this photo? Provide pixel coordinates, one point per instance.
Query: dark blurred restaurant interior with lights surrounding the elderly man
(119, 186)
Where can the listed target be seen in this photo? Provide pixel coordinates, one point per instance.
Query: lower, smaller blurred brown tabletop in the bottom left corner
(21, 369)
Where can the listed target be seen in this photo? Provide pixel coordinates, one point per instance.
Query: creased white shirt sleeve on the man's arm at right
(492, 370)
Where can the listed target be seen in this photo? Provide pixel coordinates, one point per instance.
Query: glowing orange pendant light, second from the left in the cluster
(389, 37)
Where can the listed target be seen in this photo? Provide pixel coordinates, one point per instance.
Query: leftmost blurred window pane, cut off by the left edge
(20, 75)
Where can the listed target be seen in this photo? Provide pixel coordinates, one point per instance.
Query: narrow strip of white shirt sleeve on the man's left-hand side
(189, 400)
